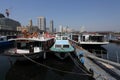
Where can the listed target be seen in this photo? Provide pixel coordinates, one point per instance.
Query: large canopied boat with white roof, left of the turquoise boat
(33, 47)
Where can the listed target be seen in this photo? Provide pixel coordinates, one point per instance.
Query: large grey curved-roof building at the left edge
(8, 26)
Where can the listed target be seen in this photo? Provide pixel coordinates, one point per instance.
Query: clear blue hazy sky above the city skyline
(94, 15)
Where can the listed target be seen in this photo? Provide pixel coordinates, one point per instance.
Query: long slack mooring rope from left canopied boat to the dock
(51, 68)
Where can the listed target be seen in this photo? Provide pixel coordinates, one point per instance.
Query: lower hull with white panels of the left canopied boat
(22, 54)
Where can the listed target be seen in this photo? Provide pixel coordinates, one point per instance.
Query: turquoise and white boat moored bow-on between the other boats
(62, 46)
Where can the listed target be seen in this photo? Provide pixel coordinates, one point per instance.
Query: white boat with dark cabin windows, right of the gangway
(92, 39)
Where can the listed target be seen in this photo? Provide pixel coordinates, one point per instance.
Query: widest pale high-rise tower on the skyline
(42, 23)
